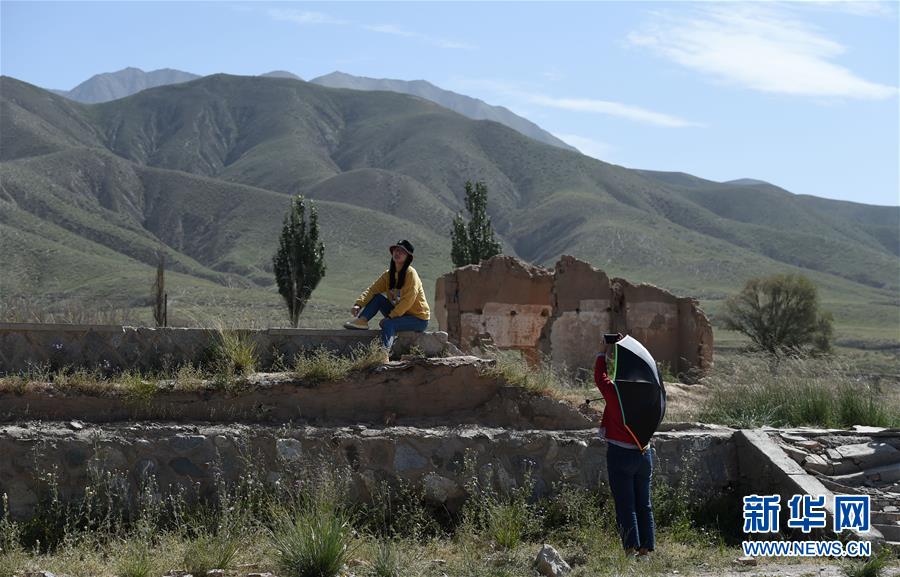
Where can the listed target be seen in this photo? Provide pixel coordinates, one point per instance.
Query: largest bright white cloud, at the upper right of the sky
(762, 48)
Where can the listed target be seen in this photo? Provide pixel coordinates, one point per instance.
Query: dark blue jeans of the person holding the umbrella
(629, 481)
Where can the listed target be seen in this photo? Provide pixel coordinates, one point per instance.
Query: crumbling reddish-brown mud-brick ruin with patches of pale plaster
(563, 313)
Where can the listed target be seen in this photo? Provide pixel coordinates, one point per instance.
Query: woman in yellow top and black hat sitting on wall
(397, 294)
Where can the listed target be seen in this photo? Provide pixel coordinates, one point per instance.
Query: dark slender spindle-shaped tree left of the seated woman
(300, 260)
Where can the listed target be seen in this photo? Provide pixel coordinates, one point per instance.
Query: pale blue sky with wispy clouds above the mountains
(802, 94)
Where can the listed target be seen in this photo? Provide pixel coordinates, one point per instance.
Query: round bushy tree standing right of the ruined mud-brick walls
(781, 315)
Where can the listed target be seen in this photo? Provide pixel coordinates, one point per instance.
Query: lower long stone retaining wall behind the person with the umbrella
(191, 459)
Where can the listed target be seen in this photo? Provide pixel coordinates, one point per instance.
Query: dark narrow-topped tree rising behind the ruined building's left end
(473, 242)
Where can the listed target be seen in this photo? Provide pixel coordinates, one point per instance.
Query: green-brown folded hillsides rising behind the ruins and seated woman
(203, 170)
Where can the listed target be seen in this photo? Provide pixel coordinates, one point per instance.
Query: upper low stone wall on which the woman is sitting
(112, 347)
